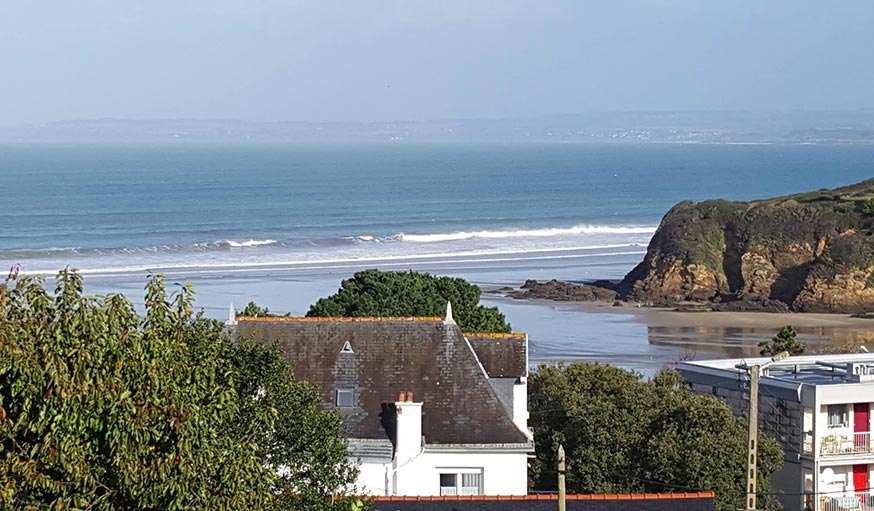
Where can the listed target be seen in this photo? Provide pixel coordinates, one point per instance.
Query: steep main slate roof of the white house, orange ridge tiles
(389, 355)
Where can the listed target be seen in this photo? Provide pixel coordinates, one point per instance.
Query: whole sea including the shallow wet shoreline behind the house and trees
(282, 225)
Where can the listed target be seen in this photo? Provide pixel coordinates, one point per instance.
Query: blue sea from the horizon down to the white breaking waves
(124, 209)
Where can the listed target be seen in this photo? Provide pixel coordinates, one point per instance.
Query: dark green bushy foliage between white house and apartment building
(625, 435)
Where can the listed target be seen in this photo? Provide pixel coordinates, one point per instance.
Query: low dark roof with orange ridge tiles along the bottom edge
(645, 502)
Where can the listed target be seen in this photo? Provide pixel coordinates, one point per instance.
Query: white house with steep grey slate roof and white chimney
(427, 410)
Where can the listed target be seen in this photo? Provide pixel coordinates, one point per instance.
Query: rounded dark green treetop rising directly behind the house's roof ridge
(391, 293)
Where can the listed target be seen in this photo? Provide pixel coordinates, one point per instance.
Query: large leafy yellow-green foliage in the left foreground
(103, 409)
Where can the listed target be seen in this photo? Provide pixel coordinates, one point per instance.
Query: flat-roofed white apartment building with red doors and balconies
(820, 410)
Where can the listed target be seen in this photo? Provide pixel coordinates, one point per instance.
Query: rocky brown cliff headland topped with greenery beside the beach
(810, 252)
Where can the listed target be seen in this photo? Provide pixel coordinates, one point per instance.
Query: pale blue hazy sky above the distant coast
(407, 59)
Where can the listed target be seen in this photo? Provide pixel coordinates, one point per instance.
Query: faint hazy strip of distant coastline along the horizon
(684, 127)
